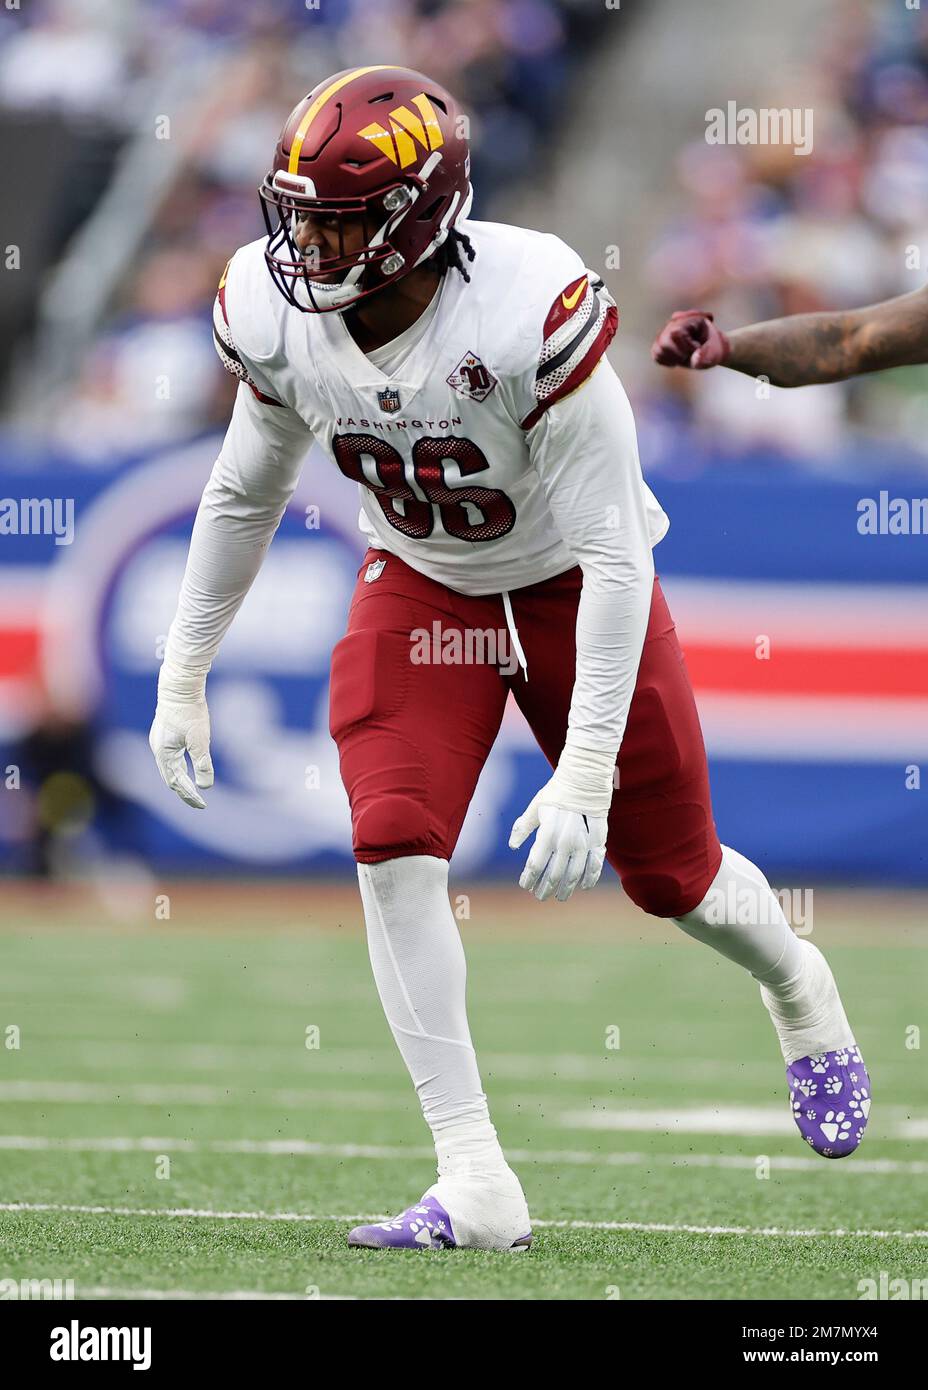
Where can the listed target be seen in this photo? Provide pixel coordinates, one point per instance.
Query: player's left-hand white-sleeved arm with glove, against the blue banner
(241, 509)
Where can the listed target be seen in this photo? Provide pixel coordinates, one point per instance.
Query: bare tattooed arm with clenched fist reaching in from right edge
(804, 350)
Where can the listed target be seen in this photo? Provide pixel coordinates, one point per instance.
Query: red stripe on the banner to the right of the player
(802, 671)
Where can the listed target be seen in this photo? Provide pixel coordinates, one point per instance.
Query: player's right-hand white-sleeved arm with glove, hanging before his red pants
(586, 452)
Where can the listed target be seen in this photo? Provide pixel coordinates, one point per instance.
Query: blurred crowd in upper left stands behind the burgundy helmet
(112, 67)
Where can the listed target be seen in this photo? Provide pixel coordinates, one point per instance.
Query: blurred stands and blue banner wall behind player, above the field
(134, 136)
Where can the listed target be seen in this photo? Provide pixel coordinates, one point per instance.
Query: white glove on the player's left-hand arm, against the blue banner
(183, 726)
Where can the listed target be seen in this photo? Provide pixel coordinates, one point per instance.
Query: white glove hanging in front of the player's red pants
(570, 814)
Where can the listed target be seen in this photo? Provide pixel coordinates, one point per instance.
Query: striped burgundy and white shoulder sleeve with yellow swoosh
(576, 333)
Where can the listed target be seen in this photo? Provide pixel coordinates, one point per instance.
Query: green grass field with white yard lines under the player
(167, 1131)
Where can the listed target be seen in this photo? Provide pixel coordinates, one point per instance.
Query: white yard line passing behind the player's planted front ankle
(402, 1153)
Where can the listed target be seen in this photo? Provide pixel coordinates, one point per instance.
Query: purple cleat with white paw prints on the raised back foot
(830, 1100)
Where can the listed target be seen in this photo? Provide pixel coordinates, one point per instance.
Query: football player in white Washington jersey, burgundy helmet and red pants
(455, 370)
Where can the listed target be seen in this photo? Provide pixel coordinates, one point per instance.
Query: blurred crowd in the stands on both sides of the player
(752, 231)
